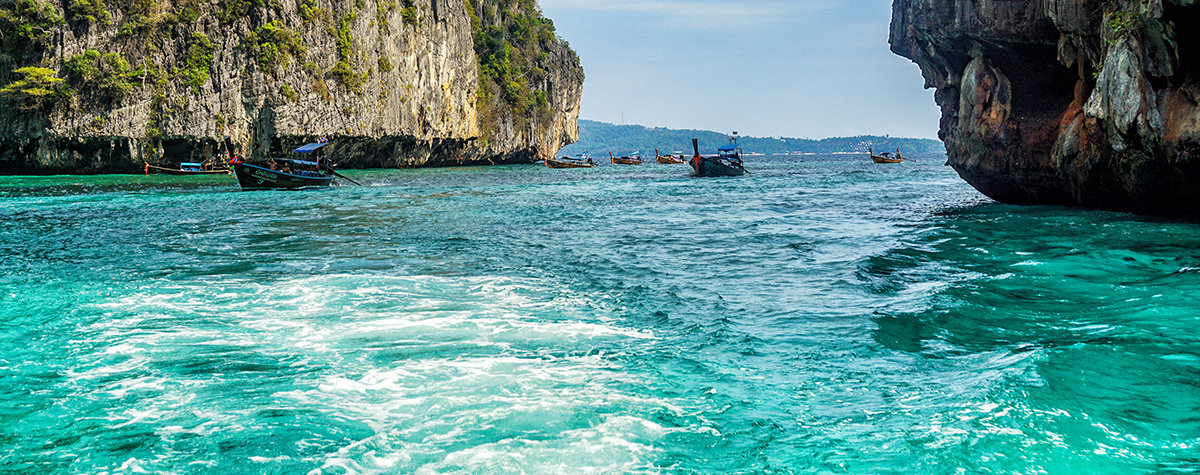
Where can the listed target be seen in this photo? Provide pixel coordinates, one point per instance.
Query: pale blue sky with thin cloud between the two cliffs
(807, 69)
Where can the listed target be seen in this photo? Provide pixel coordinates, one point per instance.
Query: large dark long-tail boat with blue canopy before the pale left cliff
(285, 173)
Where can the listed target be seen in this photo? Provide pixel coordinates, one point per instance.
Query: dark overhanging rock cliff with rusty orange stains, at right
(1084, 103)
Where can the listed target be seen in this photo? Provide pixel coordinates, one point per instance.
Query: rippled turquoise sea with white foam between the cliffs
(821, 315)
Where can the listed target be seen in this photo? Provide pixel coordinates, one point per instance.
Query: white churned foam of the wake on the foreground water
(467, 358)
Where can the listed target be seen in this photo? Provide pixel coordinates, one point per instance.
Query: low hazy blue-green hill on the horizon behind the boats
(603, 139)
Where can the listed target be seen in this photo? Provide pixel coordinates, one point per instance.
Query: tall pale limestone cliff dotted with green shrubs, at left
(391, 83)
